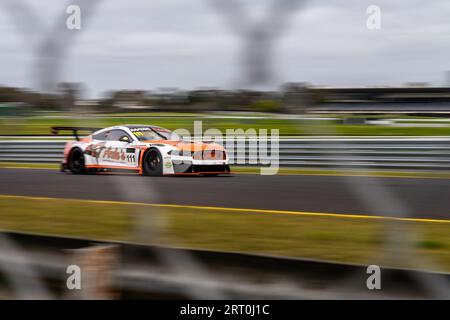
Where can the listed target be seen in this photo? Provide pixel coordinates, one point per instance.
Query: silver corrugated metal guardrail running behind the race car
(412, 153)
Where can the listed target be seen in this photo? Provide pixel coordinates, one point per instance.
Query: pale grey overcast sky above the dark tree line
(149, 44)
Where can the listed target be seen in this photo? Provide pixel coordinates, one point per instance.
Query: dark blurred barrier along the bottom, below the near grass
(138, 272)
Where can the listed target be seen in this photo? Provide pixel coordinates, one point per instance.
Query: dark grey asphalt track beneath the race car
(415, 198)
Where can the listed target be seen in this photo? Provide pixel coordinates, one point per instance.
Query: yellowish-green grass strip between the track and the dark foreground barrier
(328, 238)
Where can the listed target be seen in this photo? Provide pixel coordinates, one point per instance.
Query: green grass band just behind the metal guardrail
(41, 125)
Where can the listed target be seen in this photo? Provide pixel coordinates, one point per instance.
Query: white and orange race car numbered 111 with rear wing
(144, 149)
